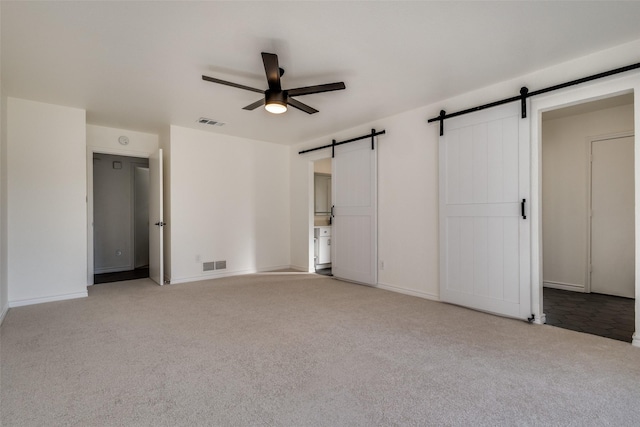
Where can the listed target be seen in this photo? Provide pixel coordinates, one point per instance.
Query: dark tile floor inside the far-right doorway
(597, 314)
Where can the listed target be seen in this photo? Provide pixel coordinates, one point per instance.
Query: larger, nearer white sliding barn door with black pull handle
(484, 236)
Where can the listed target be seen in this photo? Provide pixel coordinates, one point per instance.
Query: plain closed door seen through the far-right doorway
(612, 217)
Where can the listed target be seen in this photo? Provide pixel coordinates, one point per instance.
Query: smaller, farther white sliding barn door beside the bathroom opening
(354, 225)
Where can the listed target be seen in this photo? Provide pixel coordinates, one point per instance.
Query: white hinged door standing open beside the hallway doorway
(156, 219)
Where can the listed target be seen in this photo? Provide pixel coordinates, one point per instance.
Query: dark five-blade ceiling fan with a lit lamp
(275, 98)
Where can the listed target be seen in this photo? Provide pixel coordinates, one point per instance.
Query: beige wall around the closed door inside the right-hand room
(565, 165)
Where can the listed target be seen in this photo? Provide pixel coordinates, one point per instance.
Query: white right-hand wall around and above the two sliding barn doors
(408, 171)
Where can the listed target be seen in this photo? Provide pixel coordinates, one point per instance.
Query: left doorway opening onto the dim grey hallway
(120, 218)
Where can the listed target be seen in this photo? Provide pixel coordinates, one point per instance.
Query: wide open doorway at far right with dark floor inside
(588, 216)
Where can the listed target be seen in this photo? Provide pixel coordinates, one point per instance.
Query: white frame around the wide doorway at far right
(604, 88)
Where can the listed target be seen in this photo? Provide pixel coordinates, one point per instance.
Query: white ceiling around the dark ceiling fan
(138, 65)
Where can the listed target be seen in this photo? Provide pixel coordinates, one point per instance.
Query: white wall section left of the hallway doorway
(47, 257)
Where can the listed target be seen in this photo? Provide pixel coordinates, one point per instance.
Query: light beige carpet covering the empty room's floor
(300, 350)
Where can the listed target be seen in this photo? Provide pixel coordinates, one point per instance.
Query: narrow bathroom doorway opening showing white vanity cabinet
(322, 216)
